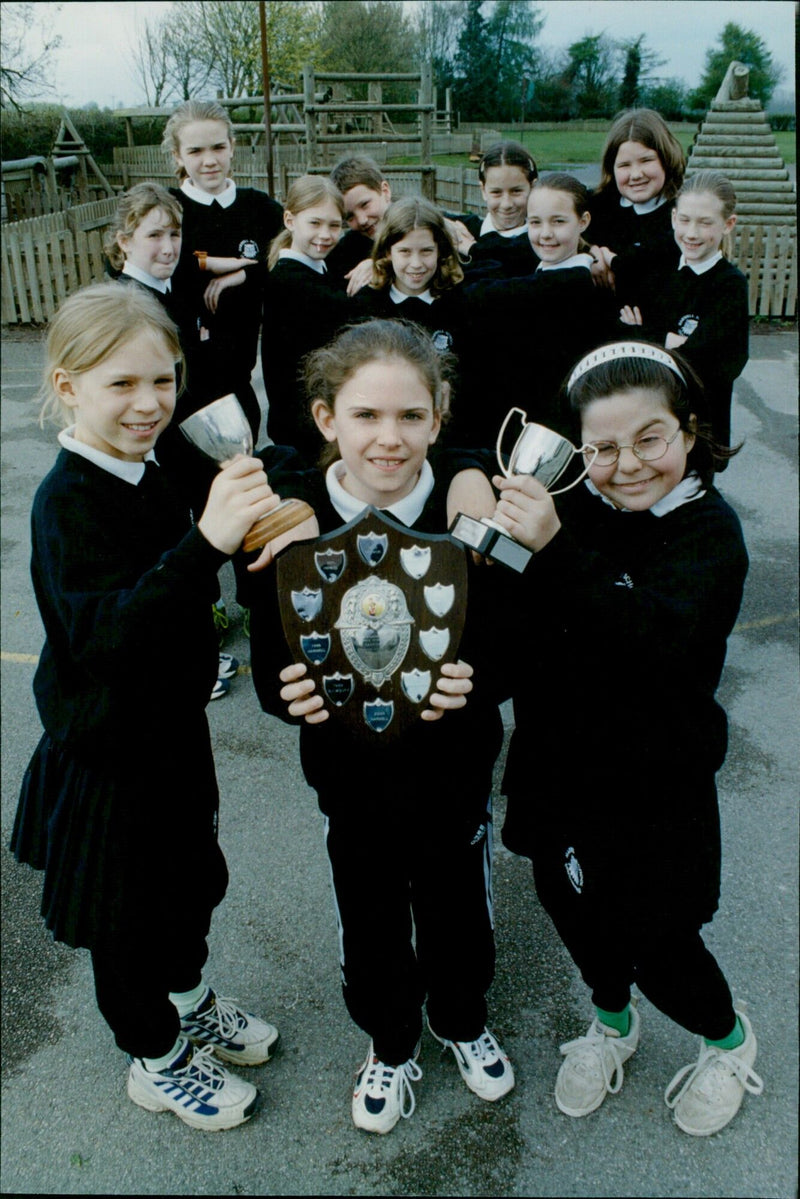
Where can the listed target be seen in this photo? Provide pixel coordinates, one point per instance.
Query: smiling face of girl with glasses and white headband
(623, 418)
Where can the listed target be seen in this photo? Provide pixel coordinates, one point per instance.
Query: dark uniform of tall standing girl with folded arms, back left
(239, 222)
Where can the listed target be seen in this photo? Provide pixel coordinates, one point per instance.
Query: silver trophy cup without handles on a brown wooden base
(222, 431)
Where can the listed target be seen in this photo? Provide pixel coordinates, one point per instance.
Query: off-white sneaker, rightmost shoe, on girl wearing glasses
(715, 1086)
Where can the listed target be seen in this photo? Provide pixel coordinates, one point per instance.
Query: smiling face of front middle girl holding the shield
(384, 423)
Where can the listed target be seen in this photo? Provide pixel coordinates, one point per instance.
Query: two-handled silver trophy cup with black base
(540, 453)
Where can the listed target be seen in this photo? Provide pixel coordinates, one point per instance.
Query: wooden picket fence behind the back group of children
(47, 258)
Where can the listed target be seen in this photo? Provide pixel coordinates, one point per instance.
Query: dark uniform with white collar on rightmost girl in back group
(707, 303)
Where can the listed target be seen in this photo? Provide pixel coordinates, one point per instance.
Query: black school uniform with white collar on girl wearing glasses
(611, 782)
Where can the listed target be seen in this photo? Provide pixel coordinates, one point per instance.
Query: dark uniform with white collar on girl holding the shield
(407, 827)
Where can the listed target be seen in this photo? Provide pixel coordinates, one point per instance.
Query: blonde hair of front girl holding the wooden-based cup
(92, 326)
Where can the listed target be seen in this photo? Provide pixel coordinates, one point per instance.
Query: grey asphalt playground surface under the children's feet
(68, 1124)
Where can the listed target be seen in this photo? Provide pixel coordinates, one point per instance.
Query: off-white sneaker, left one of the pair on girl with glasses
(593, 1067)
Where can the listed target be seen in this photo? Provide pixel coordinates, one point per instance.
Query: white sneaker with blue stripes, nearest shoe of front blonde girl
(199, 1089)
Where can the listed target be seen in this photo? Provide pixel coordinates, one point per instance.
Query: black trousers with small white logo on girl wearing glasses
(634, 918)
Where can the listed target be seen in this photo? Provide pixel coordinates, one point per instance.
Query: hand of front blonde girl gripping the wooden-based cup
(240, 496)
